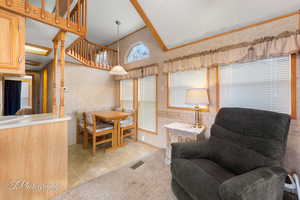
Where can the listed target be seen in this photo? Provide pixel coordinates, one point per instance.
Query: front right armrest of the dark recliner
(264, 183)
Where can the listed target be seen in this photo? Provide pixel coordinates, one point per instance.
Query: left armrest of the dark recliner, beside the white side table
(190, 150)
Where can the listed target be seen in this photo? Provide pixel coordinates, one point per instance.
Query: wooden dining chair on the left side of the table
(101, 132)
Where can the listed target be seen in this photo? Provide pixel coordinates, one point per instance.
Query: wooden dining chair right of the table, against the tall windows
(128, 126)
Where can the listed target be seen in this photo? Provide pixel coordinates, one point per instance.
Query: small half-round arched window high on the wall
(138, 52)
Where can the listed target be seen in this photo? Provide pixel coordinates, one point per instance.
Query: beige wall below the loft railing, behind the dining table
(87, 89)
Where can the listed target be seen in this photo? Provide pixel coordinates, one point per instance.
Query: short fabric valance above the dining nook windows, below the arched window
(139, 72)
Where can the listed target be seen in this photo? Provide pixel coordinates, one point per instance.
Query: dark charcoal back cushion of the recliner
(245, 139)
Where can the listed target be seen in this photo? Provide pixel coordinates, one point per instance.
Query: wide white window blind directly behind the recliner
(263, 84)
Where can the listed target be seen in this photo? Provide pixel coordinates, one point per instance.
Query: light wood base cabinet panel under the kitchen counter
(34, 161)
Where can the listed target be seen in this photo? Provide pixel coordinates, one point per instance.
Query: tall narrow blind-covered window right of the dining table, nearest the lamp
(147, 104)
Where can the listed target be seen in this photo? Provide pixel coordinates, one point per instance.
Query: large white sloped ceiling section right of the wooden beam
(178, 22)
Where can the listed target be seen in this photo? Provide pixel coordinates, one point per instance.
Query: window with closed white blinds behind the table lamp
(180, 82)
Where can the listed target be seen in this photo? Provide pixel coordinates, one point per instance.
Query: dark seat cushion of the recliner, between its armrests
(199, 177)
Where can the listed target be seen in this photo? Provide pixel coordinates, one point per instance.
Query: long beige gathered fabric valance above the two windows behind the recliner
(284, 44)
